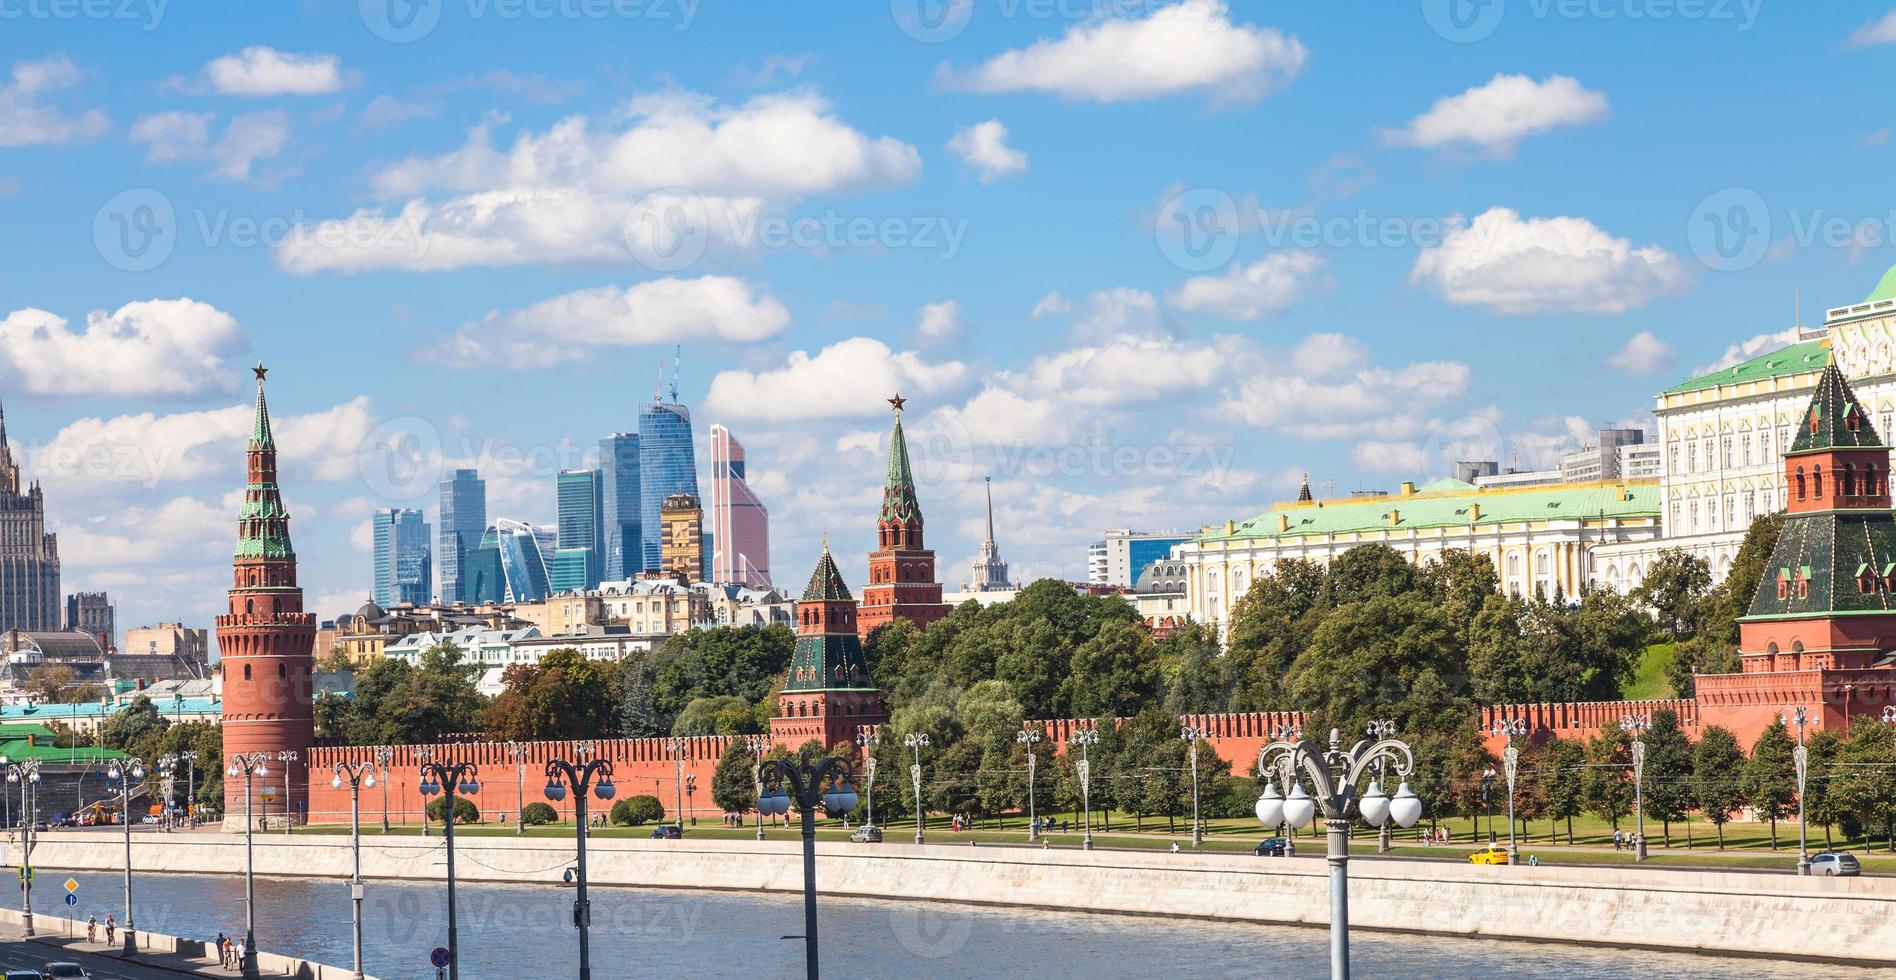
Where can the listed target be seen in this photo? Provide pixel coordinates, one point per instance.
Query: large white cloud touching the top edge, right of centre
(1180, 48)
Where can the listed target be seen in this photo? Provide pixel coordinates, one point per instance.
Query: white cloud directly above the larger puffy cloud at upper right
(1501, 115)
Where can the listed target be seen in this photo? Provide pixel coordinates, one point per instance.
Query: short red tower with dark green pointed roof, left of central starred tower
(828, 693)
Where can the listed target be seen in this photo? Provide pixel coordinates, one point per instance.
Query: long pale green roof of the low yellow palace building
(1451, 503)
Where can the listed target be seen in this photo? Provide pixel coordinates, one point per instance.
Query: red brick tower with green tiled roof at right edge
(1821, 630)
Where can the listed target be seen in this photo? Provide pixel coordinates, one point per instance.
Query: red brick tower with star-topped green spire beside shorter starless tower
(902, 570)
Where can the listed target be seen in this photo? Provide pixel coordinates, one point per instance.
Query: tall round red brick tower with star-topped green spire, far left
(266, 640)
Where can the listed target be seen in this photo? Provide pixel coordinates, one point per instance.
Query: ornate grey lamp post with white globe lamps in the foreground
(1336, 774)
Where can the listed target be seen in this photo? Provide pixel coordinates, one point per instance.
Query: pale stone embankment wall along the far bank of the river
(1728, 913)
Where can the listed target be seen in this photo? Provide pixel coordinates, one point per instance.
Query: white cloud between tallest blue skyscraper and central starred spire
(845, 380)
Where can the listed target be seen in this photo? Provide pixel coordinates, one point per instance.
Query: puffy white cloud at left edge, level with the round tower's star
(145, 348)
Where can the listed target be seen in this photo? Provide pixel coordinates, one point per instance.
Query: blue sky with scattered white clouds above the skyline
(1140, 263)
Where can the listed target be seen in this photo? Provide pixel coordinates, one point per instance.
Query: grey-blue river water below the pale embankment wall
(524, 932)
